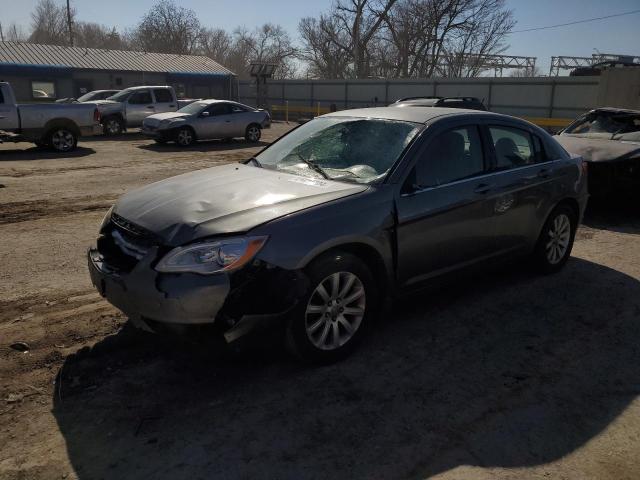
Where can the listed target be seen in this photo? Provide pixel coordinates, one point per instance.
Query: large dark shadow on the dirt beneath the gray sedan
(508, 370)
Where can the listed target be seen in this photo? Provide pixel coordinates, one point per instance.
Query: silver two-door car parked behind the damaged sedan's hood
(207, 120)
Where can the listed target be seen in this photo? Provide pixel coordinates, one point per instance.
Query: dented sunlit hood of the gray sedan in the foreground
(227, 199)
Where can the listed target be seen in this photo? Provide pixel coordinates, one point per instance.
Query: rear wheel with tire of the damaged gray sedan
(551, 254)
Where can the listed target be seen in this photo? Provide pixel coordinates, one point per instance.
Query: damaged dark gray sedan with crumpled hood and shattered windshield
(322, 225)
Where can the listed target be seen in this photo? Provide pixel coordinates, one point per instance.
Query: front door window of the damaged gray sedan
(453, 155)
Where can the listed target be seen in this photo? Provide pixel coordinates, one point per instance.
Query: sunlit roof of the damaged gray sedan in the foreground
(415, 115)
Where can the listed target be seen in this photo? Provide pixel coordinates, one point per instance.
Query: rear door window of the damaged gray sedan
(513, 147)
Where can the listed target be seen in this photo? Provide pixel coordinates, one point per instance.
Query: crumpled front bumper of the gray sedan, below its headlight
(144, 294)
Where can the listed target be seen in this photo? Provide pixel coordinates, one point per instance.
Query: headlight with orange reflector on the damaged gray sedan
(211, 257)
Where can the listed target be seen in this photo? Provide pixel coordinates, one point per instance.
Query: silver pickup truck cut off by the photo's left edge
(46, 124)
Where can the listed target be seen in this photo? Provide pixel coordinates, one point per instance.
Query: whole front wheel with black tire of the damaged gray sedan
(302, 324)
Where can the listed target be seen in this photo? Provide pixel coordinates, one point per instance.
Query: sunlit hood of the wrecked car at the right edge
(599, 150)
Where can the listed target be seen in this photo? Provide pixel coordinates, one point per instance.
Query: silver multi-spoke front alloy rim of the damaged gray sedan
(335, 310)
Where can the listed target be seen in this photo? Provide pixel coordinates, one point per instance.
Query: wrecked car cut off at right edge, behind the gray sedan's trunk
(609, 140)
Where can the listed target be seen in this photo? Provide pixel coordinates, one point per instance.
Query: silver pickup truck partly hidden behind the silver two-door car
(131, 106)
